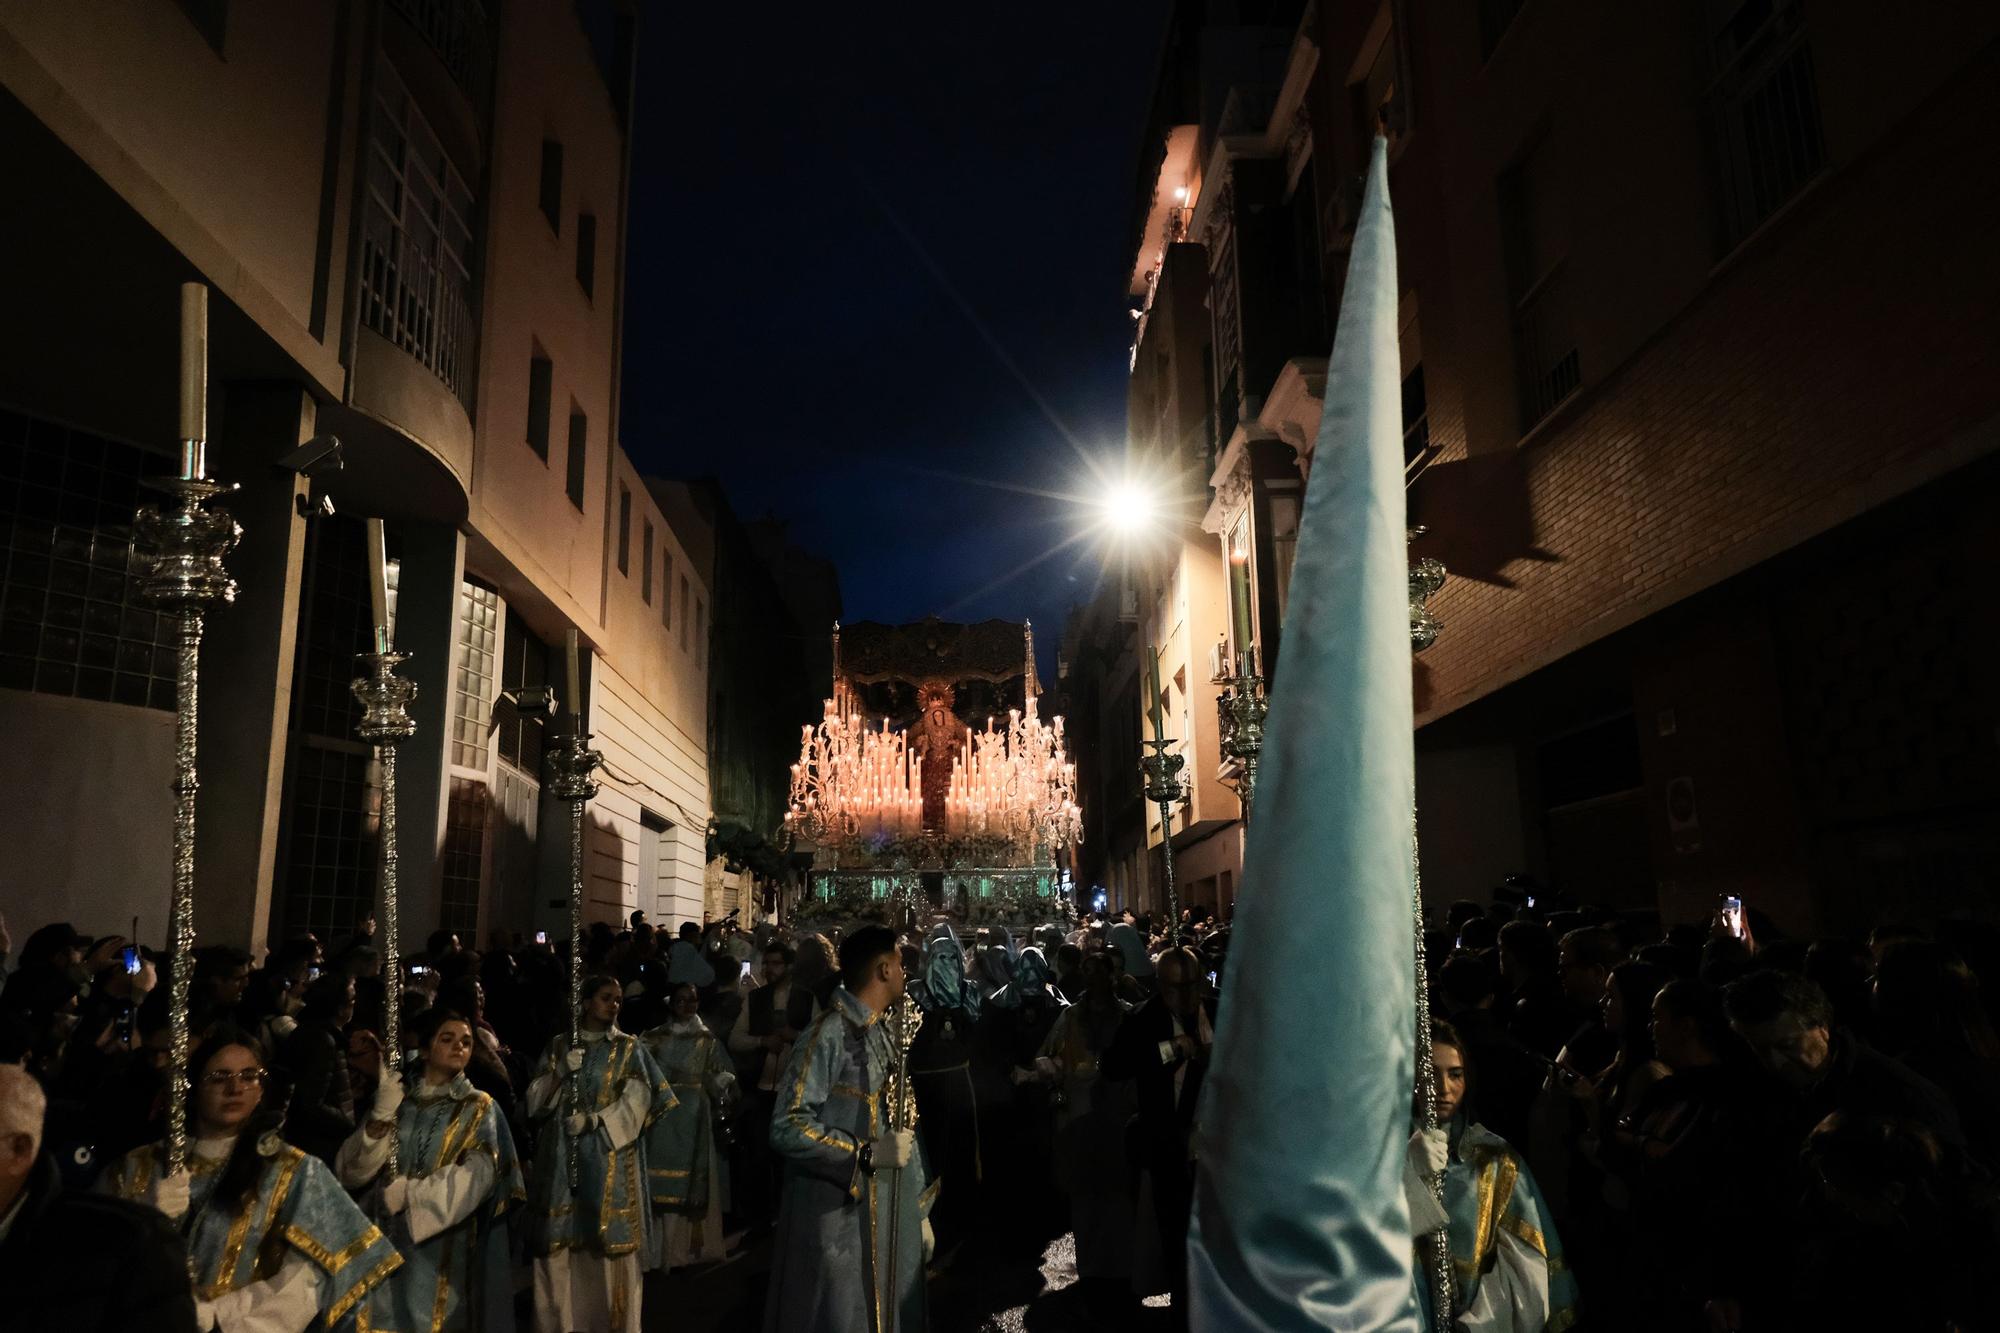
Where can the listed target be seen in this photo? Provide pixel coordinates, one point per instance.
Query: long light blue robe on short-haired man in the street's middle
(835, 1268)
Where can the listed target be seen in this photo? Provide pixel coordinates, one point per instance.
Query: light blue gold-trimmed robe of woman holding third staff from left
(609, 1210)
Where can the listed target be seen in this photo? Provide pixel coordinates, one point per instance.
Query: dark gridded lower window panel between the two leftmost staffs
(329, 864)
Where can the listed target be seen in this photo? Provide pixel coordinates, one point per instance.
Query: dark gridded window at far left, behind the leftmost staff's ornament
(71, 619)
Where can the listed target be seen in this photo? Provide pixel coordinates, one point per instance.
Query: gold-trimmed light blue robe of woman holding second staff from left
(455, 1282)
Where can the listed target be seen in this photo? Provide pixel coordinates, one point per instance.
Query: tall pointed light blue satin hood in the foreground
(1305, 1118)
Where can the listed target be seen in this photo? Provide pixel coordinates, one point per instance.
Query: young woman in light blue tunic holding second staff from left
(447, 1212)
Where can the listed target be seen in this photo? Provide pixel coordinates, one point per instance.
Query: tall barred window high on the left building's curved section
(417, 239)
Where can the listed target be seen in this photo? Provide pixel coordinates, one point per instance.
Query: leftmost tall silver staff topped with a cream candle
(187, 573)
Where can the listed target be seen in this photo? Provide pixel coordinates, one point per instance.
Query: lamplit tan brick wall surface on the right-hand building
(1843, 357)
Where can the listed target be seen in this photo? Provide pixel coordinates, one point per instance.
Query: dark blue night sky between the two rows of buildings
(829, 209)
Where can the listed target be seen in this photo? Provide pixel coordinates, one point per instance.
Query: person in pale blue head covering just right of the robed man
(941, 1072)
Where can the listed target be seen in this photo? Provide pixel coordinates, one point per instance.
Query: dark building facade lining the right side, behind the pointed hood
(1701, 411)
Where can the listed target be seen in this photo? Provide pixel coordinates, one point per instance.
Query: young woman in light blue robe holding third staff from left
(587, 1242)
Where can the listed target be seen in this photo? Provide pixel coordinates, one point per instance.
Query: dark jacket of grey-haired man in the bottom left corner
(87, 1262)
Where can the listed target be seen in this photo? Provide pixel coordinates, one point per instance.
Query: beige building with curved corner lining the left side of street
(413, 225)
